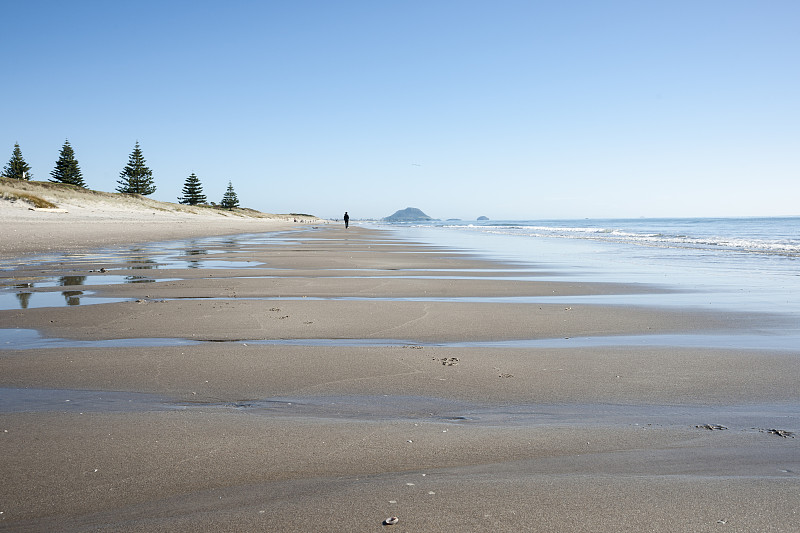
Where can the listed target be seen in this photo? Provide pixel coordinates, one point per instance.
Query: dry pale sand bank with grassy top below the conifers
(81, 219)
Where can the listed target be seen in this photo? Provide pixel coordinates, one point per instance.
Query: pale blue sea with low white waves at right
(738, 264)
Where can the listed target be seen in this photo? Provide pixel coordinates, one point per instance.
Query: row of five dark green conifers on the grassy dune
(135, 178)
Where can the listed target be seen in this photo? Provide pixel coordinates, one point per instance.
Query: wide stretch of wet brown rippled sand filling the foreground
(229, 434)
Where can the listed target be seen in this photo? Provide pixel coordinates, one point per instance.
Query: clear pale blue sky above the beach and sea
(508, 109)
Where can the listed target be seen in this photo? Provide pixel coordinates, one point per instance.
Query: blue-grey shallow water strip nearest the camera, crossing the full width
(747, 417)
